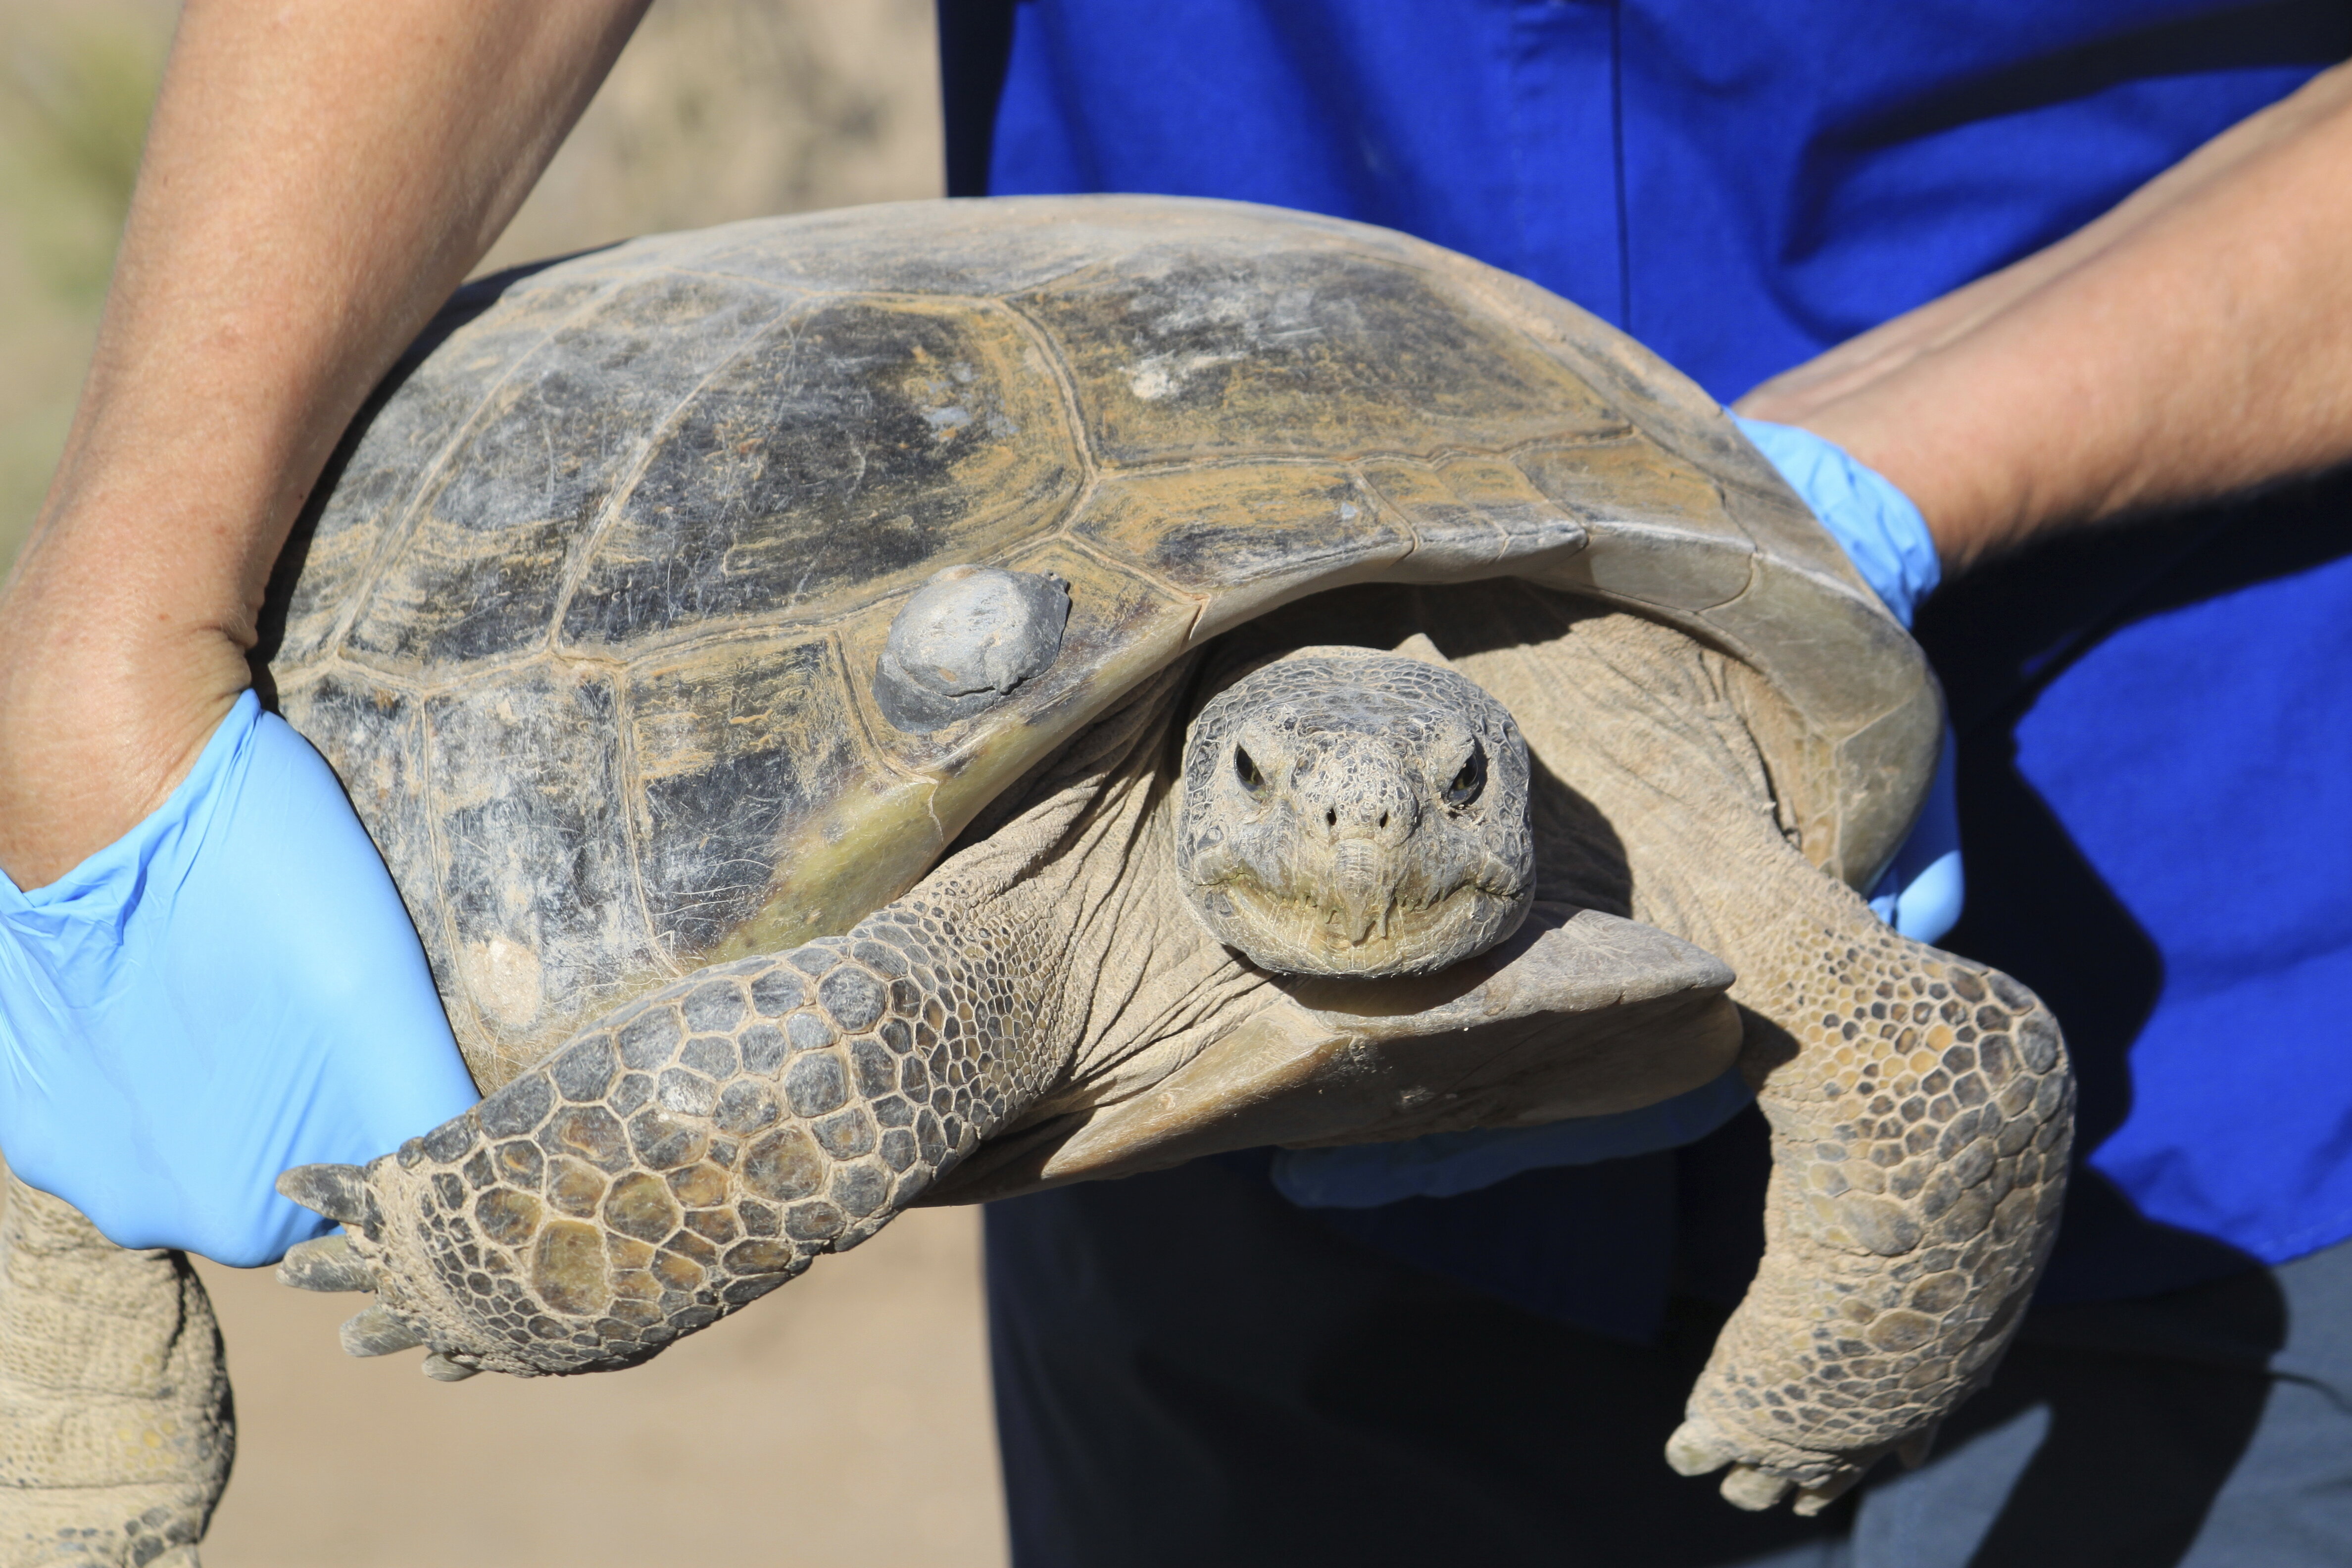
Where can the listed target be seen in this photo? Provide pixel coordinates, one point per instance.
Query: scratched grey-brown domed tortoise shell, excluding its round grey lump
(592, 612)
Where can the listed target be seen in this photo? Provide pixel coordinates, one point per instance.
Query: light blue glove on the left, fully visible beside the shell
(229, 991)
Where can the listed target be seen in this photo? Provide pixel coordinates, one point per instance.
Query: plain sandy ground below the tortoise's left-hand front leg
(843, 1419)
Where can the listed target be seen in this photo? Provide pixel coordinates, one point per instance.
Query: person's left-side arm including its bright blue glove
(208, 977)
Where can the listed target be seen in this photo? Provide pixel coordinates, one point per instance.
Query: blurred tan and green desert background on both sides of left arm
(719, 112)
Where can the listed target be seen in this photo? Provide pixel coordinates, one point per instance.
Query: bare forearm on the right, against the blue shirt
(2186, 347)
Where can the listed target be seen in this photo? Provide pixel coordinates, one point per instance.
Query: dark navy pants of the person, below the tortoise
(1194, 1372)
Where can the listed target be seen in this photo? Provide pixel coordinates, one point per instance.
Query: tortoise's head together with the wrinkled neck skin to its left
(1299, 812)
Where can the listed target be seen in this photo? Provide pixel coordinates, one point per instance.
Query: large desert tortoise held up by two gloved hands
(930, 702)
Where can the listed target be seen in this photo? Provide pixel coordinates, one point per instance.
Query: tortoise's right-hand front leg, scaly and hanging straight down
(1920, 1151)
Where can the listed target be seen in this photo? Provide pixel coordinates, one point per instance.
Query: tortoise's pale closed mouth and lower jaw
(1339, 934)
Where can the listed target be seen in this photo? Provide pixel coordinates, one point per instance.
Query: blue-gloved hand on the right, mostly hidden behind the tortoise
(1887, 542)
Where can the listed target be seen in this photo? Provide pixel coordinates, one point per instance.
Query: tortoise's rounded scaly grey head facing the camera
(1356, 815)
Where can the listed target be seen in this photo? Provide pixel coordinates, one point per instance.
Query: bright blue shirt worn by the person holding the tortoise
(2153, 763)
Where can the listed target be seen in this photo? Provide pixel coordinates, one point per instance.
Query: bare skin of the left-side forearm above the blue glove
(316, 180)
